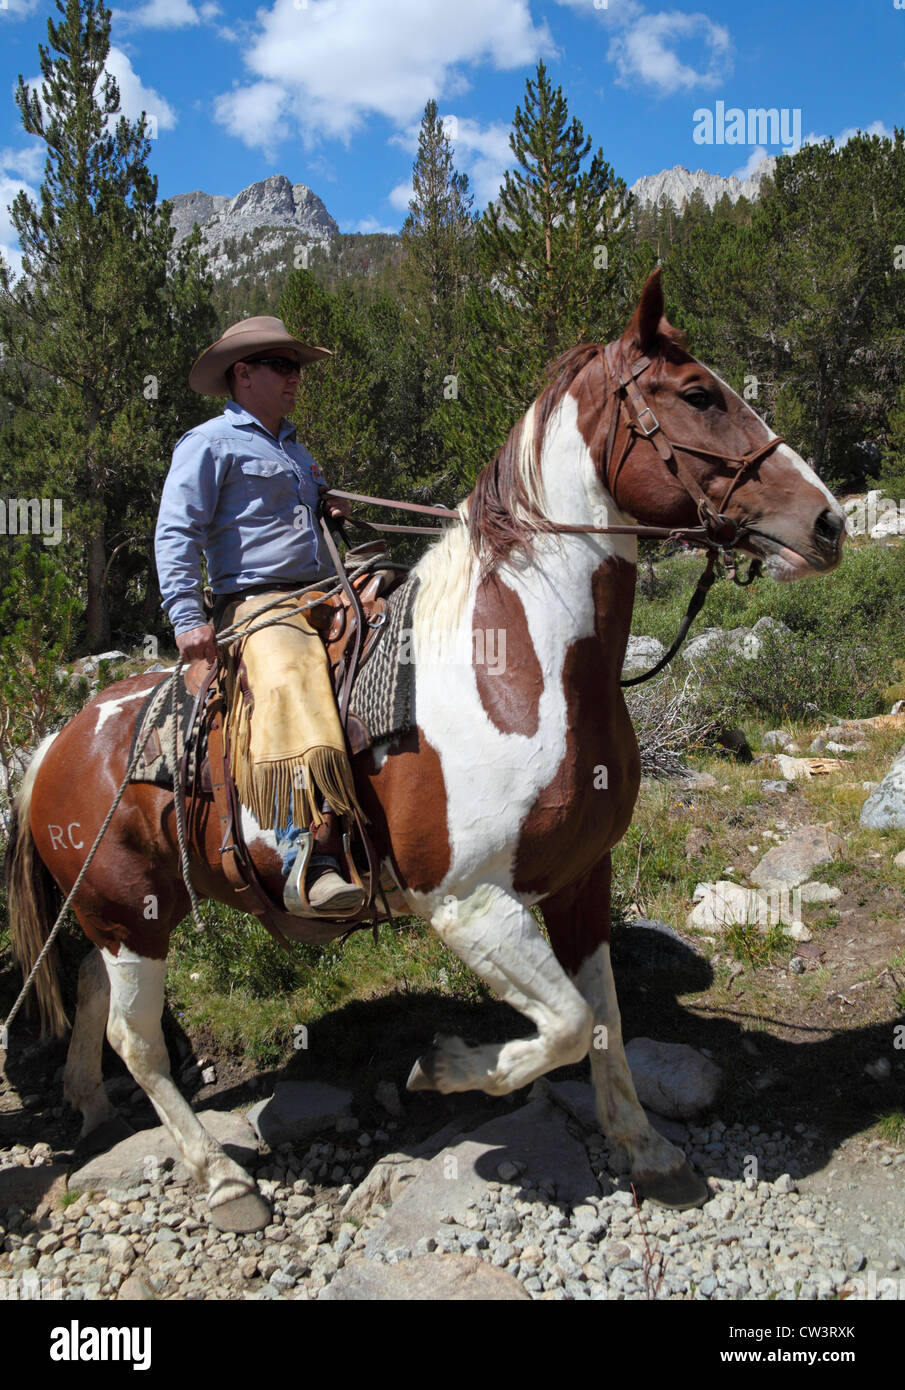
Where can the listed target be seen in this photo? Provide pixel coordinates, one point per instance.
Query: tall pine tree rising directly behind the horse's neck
(554, 268)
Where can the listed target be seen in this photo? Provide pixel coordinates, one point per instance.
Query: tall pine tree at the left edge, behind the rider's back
(99, 332)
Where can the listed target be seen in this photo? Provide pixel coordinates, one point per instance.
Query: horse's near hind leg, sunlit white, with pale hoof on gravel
(137, 999)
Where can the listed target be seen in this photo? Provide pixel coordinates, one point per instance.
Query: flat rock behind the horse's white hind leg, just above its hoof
(149, 1154)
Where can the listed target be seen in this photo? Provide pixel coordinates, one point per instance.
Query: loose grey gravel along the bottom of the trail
(758, 1238)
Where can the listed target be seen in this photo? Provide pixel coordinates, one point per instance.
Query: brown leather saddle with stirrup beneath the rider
(351, 626)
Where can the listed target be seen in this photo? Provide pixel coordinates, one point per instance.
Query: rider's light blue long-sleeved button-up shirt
(244, 500)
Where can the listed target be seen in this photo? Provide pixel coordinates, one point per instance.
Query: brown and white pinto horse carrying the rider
(509, 792)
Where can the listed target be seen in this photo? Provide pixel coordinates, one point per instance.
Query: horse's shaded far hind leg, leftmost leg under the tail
(83, 1079)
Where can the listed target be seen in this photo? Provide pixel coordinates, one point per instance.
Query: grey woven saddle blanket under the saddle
(383, 700)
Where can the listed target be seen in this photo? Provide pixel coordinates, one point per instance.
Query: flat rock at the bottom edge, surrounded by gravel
(437, 1278)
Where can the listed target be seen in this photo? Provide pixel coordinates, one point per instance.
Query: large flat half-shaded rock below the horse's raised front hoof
(535, 1138)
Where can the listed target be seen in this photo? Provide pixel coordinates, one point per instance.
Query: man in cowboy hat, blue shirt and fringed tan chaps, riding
(244, 493)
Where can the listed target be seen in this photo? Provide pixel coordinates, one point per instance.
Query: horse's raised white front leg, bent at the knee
(503, 943)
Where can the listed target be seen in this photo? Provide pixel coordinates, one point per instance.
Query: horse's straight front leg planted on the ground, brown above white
(579, 926)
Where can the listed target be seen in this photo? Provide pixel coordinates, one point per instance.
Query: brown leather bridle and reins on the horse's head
(718, 533)
